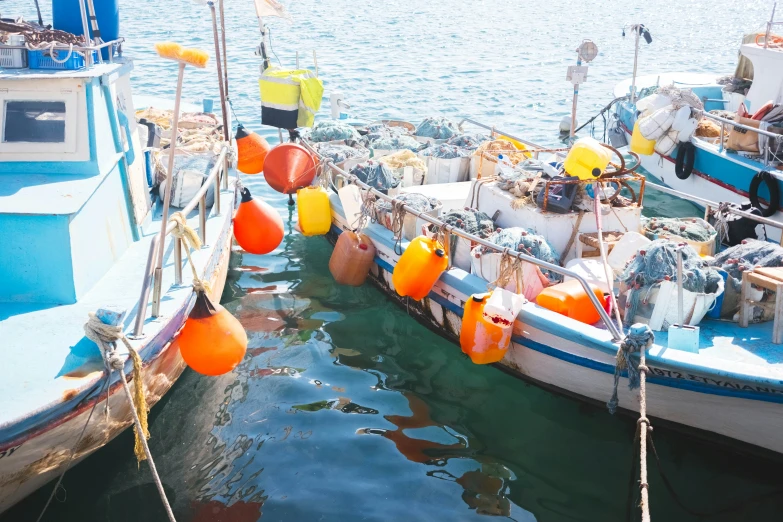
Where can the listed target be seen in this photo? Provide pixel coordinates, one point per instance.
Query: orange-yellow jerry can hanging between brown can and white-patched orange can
(419, 267)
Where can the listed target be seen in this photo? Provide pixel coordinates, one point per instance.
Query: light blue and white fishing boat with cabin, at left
(81, 235)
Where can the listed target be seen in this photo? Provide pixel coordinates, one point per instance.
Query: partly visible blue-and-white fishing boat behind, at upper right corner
(735, 153)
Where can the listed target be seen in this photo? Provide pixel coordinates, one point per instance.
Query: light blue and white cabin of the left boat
(69, 156)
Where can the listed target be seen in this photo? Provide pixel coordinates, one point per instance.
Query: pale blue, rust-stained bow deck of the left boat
(47, 360)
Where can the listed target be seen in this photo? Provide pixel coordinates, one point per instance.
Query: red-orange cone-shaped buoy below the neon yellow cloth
(289, 167)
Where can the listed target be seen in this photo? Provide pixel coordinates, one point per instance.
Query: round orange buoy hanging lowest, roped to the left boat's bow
(213, 341)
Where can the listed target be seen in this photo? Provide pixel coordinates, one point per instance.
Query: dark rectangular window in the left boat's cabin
(34, 121)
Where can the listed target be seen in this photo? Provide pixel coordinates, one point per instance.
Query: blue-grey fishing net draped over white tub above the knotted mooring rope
(657, 262)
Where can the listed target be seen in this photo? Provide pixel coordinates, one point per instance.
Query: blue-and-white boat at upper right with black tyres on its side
(718, 173)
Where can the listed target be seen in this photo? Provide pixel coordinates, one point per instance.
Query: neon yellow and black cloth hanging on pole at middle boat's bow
(289, 98)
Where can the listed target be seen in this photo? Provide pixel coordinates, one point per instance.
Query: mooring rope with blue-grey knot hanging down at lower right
(639, 338)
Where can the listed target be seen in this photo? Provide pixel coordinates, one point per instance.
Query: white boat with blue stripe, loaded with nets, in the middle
(729, 384)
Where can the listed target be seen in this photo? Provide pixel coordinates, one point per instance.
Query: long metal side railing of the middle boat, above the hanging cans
(610, 326)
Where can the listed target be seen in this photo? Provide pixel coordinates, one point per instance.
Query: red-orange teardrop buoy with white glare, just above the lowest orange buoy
(258, 228)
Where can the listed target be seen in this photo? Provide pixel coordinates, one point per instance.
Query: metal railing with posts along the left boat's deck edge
(152, 275)
